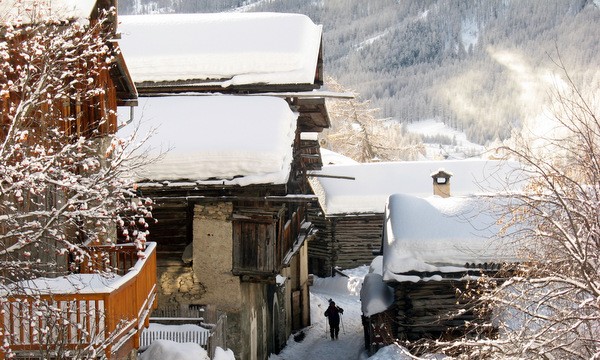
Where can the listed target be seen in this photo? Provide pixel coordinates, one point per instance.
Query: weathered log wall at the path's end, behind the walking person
(344, 242)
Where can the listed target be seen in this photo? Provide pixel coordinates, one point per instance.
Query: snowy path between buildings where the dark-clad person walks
(317, 344)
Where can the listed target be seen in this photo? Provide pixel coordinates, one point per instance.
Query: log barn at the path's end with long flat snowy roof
(352, 198)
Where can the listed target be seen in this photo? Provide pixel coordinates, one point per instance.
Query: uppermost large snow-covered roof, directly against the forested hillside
(223, 48)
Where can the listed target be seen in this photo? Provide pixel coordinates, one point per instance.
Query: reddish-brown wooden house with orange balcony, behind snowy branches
(96, 315)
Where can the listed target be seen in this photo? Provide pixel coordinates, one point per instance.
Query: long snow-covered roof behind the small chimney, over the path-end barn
(374, 182)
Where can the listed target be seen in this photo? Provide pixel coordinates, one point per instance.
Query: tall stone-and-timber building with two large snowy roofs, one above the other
(233, 103)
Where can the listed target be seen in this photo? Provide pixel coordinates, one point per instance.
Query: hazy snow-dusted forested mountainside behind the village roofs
(481, 66)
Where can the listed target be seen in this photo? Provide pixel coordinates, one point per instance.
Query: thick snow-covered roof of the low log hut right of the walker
(437, 234)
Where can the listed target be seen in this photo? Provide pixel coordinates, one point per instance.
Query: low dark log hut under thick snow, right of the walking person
(433, 248)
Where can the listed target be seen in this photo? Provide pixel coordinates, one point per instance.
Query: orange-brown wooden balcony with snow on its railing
(87, 314)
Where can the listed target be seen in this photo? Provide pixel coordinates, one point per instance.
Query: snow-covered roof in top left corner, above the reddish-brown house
(28, 11)
